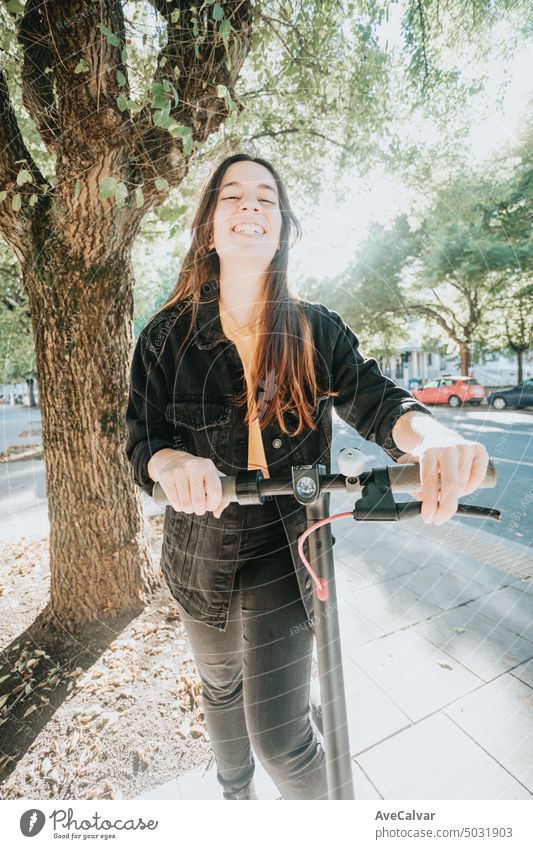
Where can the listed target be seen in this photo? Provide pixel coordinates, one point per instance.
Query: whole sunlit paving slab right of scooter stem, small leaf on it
(418, 676)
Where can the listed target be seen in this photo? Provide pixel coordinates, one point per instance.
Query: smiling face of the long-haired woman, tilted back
(247, 198)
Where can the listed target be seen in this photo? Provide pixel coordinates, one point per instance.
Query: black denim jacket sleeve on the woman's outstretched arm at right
(368, 400)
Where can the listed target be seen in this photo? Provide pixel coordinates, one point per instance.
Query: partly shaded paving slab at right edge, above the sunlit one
(483, 646)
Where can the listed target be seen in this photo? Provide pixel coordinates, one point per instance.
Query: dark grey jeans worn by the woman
(256, 674)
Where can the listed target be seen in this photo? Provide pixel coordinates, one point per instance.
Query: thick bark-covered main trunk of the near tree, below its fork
(83, 330)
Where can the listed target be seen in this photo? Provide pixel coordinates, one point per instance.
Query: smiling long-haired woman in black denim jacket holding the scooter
(249, 384)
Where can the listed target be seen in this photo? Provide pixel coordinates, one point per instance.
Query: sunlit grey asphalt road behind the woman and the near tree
(507, 435)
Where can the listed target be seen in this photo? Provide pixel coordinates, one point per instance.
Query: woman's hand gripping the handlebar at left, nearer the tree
(192, 484)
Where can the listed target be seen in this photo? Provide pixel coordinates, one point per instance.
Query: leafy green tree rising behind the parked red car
(476, 252)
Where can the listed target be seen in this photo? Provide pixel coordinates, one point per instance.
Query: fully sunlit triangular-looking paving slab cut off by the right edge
(499, 717)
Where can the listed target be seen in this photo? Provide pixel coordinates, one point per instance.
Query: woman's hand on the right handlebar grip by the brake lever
(450, 467)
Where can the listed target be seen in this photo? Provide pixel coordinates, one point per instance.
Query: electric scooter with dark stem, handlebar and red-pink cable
(311, 486)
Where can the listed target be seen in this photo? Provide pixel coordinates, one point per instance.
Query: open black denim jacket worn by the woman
(187, 403)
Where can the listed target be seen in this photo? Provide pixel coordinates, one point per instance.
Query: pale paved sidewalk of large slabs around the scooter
(437, 636)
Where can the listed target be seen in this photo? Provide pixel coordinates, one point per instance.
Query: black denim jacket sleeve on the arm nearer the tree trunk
(147, 430)
